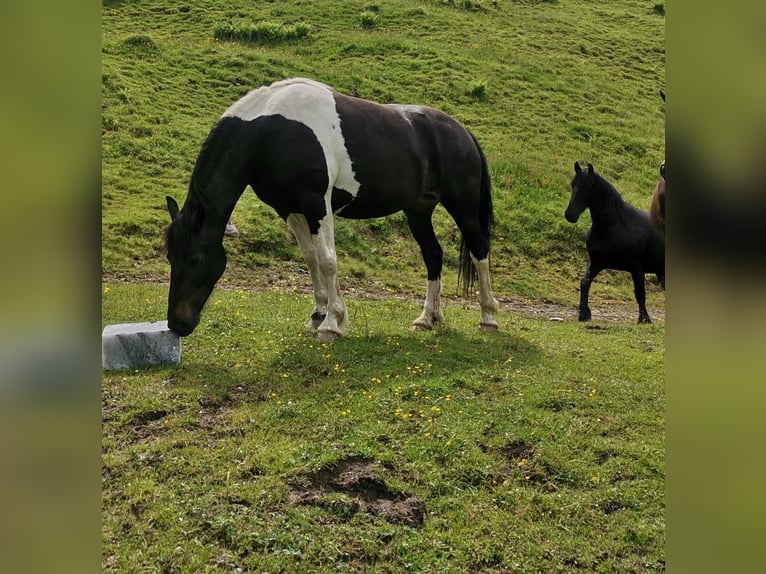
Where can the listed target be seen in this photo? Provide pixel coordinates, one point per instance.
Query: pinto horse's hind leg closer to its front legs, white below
(423, 231)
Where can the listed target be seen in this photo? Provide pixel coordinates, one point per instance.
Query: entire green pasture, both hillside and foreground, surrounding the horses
(536, 448)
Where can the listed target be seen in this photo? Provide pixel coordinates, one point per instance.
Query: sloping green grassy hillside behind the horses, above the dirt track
(541, 84)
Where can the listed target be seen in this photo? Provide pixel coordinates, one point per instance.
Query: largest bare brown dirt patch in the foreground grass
(358, 479)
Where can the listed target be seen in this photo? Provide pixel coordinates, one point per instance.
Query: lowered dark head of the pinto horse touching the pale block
(197, 260)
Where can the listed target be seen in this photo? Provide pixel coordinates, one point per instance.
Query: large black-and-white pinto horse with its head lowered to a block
(311, 153)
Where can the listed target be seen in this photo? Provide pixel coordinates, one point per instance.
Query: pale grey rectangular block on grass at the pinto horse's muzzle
(127, 345)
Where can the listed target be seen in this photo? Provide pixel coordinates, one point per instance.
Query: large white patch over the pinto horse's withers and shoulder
(312, 104)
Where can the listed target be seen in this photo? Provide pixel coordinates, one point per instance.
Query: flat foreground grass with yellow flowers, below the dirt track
(529, 451)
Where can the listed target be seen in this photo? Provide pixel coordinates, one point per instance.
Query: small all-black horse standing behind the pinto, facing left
(620, 237)
